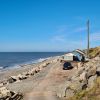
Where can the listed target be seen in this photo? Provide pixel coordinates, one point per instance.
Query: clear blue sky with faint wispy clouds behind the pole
(48, 25)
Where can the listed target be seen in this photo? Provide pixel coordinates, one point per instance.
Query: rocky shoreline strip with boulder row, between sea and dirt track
(18, 75)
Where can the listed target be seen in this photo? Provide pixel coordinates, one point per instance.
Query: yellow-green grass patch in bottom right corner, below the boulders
(93, 94)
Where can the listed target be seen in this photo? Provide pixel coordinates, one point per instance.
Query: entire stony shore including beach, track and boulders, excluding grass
(48, 79)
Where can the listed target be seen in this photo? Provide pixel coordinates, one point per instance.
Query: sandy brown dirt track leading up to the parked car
(47, 88)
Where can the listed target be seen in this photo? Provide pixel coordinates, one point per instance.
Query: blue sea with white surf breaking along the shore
(10, 60)
